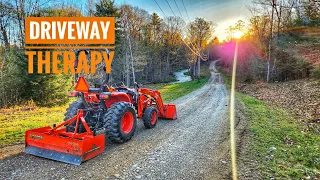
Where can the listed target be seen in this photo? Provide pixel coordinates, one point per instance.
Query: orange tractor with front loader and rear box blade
(101, 112)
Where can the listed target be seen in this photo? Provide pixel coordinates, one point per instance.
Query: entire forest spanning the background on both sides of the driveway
(150, 48)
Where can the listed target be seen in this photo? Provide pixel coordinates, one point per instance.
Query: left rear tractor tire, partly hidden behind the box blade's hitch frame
(72, 111)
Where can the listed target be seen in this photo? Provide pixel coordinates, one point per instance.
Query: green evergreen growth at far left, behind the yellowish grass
(18, 87)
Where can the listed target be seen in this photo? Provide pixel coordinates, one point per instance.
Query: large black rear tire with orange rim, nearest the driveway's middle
(120, 122)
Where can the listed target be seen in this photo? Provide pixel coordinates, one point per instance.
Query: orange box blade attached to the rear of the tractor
(58, 144)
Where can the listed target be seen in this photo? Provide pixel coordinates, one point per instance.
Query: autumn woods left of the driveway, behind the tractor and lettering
(148, 49)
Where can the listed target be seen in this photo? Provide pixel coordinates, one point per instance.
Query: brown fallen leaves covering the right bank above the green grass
(300, 97)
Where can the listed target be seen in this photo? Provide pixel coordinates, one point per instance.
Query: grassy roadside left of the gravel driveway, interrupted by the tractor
(15, 121)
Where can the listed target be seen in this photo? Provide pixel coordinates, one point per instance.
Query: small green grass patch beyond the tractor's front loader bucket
(170, 92)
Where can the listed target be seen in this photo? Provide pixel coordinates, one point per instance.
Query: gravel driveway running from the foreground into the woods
(195, 146)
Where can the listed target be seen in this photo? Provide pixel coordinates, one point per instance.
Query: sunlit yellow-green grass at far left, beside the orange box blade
(15, 121)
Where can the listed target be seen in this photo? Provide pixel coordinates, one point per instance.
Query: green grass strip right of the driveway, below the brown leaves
(297, 154)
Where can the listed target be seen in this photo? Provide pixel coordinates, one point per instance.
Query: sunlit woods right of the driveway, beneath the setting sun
(270, 49)
